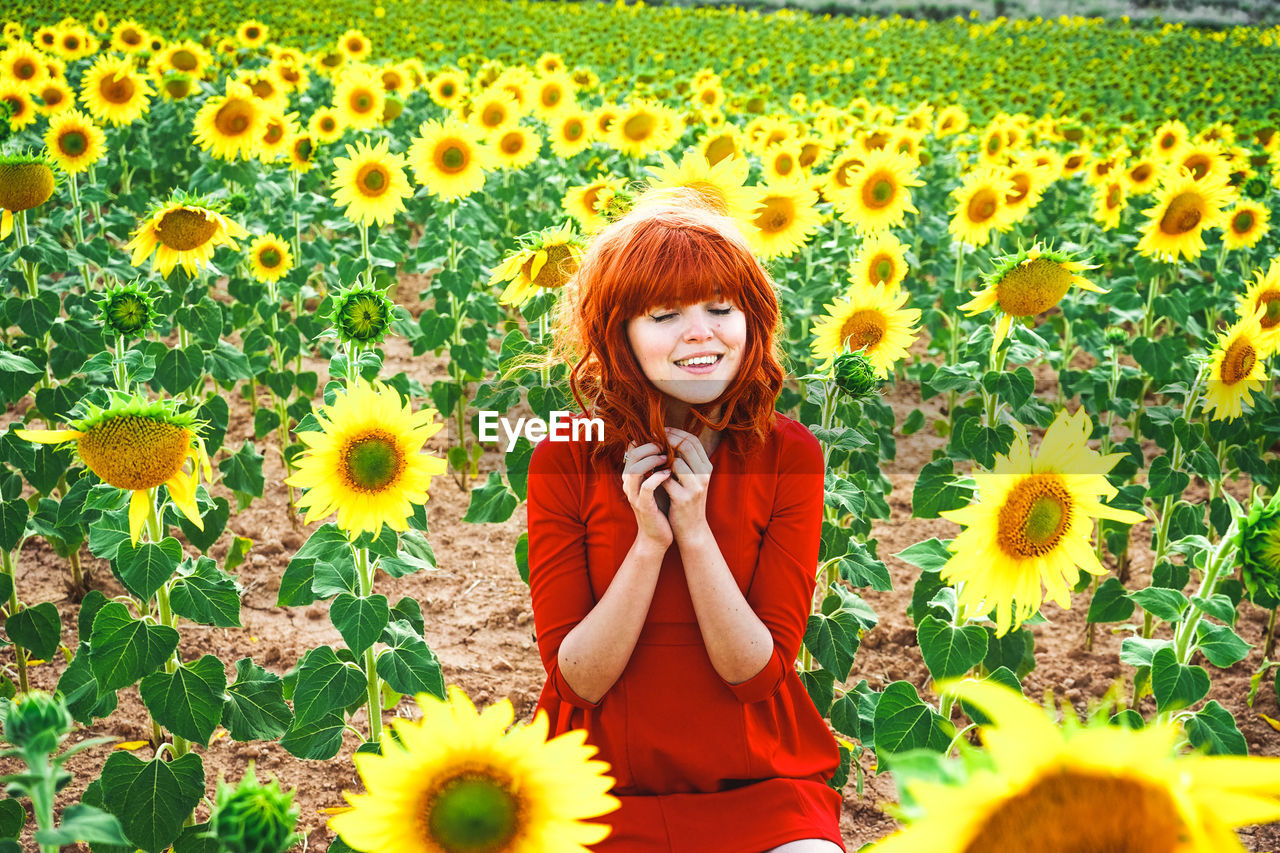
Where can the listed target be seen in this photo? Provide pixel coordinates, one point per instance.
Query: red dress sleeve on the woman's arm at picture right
(781, 591)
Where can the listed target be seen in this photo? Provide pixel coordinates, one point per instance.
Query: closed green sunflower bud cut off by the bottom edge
(254, 818)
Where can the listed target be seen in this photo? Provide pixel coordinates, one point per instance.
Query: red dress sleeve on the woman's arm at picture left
(559, 580)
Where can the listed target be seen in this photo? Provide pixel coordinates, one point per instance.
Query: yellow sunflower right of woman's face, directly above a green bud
(871, 321)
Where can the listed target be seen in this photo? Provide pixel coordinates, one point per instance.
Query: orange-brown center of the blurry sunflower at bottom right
(1124, 816)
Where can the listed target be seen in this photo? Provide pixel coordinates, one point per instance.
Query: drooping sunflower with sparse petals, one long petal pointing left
(138, 445)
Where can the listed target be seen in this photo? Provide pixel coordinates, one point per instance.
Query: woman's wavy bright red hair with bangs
(669, 250)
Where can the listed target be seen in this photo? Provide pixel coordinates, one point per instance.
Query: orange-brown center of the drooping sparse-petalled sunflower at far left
(134, 453)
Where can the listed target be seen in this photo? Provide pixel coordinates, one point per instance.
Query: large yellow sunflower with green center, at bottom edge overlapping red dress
(461, 782)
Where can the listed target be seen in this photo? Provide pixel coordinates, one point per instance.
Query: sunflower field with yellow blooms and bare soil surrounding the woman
(262, 272)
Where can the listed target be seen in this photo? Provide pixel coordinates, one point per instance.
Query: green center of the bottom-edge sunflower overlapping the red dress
(474, 814)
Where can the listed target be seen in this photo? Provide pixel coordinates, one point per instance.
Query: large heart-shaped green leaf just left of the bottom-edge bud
(153, 799)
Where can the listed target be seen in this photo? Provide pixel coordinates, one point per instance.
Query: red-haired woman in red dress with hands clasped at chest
(673, 563)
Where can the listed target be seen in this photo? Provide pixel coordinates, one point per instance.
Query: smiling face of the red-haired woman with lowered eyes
(691, 353)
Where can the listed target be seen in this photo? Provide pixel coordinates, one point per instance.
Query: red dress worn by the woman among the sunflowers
(701, 765)
